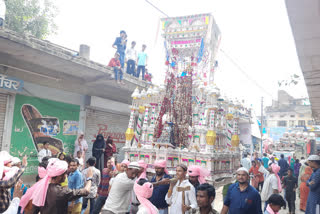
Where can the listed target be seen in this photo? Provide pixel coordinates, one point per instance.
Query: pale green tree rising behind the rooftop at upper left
(35, 17)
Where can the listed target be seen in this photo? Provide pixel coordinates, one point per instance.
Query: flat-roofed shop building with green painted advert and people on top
(48, 93)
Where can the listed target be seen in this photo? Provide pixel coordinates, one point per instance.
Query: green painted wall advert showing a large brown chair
(29, 130)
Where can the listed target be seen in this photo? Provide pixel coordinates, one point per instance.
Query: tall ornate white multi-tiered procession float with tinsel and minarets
(186, 120)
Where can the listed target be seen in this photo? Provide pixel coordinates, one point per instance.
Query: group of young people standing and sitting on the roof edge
(136, 62)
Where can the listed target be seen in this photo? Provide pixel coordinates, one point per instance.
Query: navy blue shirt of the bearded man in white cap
(245, 202)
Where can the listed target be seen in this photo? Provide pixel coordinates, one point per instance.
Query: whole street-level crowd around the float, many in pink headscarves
(65, 184)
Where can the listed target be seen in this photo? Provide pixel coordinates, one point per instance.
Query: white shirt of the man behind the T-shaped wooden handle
(175, 201)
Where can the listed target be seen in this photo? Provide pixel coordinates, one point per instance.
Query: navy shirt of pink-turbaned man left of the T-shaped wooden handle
(159, 193)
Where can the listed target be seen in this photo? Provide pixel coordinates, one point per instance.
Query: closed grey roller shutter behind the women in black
(106, 123)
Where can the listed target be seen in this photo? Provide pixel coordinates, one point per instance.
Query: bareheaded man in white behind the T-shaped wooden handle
(174, 198)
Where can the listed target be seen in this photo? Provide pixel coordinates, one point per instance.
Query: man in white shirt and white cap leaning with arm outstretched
(120, 194)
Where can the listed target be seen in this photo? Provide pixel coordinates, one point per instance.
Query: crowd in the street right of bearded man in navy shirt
(271, 175)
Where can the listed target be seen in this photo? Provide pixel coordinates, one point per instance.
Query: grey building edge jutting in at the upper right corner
(304, 17)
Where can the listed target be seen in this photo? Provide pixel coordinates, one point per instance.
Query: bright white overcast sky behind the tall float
(257, 47)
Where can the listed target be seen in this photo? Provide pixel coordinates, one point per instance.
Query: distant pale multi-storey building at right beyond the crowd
(287, 113)
